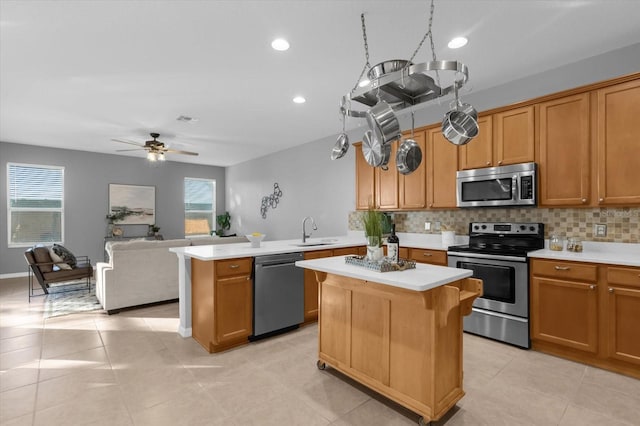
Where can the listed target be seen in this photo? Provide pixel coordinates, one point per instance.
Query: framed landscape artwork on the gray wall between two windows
(132, 204)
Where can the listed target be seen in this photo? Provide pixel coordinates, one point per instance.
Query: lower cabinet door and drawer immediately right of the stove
(564, 304)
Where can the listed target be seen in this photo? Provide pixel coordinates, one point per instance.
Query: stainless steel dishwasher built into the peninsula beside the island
(278, 294)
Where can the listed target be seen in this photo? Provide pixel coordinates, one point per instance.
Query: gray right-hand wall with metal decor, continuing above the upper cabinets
(315, 185)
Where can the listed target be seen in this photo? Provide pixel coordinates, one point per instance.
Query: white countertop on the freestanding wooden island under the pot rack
(424, 277)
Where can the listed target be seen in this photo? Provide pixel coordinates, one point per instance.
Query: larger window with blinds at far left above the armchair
(35, 204)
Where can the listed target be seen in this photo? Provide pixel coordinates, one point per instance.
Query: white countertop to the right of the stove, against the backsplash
(594, 252)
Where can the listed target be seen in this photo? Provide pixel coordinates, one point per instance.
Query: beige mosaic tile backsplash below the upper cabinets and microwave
(623, 224)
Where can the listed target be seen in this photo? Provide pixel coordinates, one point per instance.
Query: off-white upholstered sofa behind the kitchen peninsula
(141, 272)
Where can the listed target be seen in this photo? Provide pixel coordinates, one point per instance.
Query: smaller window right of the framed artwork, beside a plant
(199, 206)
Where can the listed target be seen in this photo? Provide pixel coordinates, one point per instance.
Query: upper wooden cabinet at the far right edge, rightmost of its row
(618, 147)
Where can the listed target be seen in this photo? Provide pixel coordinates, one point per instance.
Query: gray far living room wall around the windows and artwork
(87, 178)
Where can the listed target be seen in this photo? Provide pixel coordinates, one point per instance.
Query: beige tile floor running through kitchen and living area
(133, 369)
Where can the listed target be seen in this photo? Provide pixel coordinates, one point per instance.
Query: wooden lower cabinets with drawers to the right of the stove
(587, 312)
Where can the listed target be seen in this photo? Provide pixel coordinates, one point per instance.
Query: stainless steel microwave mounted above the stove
(513, 185)
